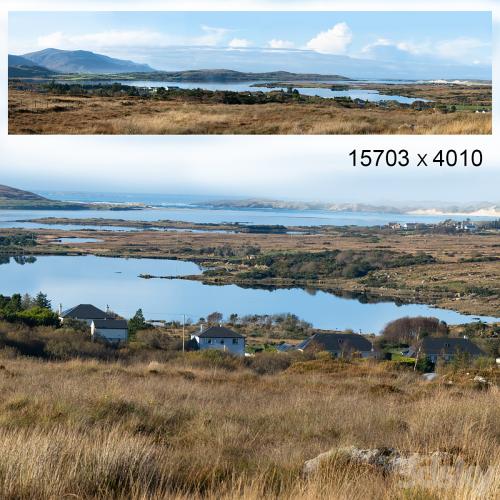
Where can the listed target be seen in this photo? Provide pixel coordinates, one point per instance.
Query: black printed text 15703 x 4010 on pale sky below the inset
(403, 158)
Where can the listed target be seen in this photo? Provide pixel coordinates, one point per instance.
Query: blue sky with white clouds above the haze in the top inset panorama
(434, 37)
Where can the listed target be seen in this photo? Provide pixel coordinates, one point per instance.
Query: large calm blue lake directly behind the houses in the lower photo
(101, 281)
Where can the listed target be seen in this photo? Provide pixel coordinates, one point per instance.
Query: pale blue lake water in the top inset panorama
(366, 95)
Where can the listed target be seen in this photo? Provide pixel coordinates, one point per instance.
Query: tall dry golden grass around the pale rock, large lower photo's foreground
(181, 430)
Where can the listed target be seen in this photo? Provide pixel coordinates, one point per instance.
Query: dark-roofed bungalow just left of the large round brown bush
(339, 345)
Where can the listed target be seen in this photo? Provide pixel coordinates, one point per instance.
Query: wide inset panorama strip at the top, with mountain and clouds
(250, 73)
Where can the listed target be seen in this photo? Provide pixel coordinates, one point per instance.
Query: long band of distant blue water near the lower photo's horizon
(311, 218)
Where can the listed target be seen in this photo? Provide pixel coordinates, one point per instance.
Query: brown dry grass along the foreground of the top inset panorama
(47, 114)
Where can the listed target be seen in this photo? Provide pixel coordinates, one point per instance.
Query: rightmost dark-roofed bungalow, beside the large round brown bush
(445, 348)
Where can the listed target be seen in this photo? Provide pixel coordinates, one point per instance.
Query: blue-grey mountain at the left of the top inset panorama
(83, 61)
